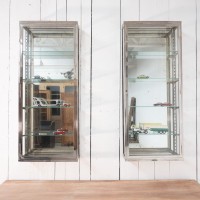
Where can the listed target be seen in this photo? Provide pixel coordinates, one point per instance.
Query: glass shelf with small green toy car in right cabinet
(171, 80)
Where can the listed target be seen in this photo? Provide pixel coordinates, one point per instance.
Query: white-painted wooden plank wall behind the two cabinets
(101, 148)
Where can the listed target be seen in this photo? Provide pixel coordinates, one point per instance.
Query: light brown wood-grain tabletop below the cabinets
(100, 190)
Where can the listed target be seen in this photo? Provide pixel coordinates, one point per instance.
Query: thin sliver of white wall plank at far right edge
(198, 90)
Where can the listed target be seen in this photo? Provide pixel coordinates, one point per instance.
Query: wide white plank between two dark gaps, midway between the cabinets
(105, 89)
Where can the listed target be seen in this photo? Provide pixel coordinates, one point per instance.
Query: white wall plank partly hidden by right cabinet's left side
(128, 169)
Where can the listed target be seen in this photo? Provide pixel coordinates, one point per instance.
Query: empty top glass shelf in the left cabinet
(49, 54)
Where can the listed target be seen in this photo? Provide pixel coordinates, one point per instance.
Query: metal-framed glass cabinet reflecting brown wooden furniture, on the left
(49, 91)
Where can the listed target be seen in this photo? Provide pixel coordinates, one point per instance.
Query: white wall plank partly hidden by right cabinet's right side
(185, 11)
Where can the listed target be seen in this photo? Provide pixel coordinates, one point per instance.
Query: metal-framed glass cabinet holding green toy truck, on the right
(151, 83)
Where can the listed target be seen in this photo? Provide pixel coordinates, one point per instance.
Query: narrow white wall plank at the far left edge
(4, 81)
